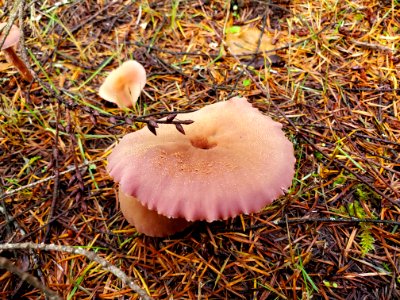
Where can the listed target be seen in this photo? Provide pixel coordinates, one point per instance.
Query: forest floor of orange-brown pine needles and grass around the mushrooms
(331, 79)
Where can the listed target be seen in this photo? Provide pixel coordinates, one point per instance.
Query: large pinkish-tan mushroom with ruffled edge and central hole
(232, 160)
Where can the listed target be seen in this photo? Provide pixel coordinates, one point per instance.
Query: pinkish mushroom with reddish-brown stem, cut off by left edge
(10, 41)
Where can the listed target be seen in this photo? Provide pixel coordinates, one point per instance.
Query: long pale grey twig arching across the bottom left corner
(90, 255)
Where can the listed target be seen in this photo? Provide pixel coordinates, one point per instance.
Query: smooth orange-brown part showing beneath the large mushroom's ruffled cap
(149, 221)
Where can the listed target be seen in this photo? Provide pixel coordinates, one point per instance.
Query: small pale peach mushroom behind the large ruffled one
(124, 84)
